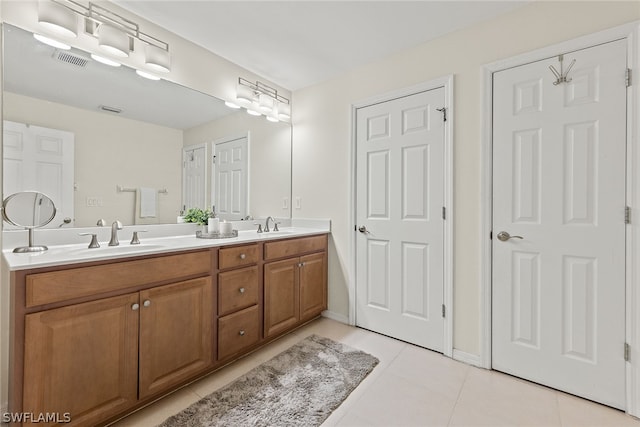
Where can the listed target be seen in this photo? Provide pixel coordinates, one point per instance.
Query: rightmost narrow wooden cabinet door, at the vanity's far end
(313, 285)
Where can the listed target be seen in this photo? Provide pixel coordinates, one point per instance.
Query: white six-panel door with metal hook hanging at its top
(559, 193)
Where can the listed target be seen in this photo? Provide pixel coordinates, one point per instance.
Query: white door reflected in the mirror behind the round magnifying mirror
(39, 159)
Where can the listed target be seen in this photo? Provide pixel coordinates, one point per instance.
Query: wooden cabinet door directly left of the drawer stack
(176, 333)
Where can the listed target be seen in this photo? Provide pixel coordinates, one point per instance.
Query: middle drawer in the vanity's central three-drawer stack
(237, 289)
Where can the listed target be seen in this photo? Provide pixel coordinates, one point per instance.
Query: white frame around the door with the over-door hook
(631, 33)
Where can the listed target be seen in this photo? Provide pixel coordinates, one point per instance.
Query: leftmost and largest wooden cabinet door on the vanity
(82, 359)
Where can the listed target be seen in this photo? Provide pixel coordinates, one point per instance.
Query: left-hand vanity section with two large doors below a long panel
(99, 358)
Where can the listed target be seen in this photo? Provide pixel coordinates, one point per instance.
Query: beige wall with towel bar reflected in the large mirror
(110, 151)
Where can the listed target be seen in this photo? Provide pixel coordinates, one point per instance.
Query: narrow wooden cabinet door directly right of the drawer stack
(281, 296)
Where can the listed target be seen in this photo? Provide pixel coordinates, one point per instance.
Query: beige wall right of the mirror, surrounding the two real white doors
(322, 132)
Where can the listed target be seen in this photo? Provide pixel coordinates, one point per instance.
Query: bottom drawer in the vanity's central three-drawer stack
(238, 331)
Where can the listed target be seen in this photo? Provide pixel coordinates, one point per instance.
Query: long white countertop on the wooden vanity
(79, 253)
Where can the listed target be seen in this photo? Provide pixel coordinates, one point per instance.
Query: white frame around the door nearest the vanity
(445, 82)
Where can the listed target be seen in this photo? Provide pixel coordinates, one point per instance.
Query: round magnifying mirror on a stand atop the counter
(28, 209)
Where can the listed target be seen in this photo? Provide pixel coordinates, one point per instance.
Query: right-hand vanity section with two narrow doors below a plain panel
(295, 288)
